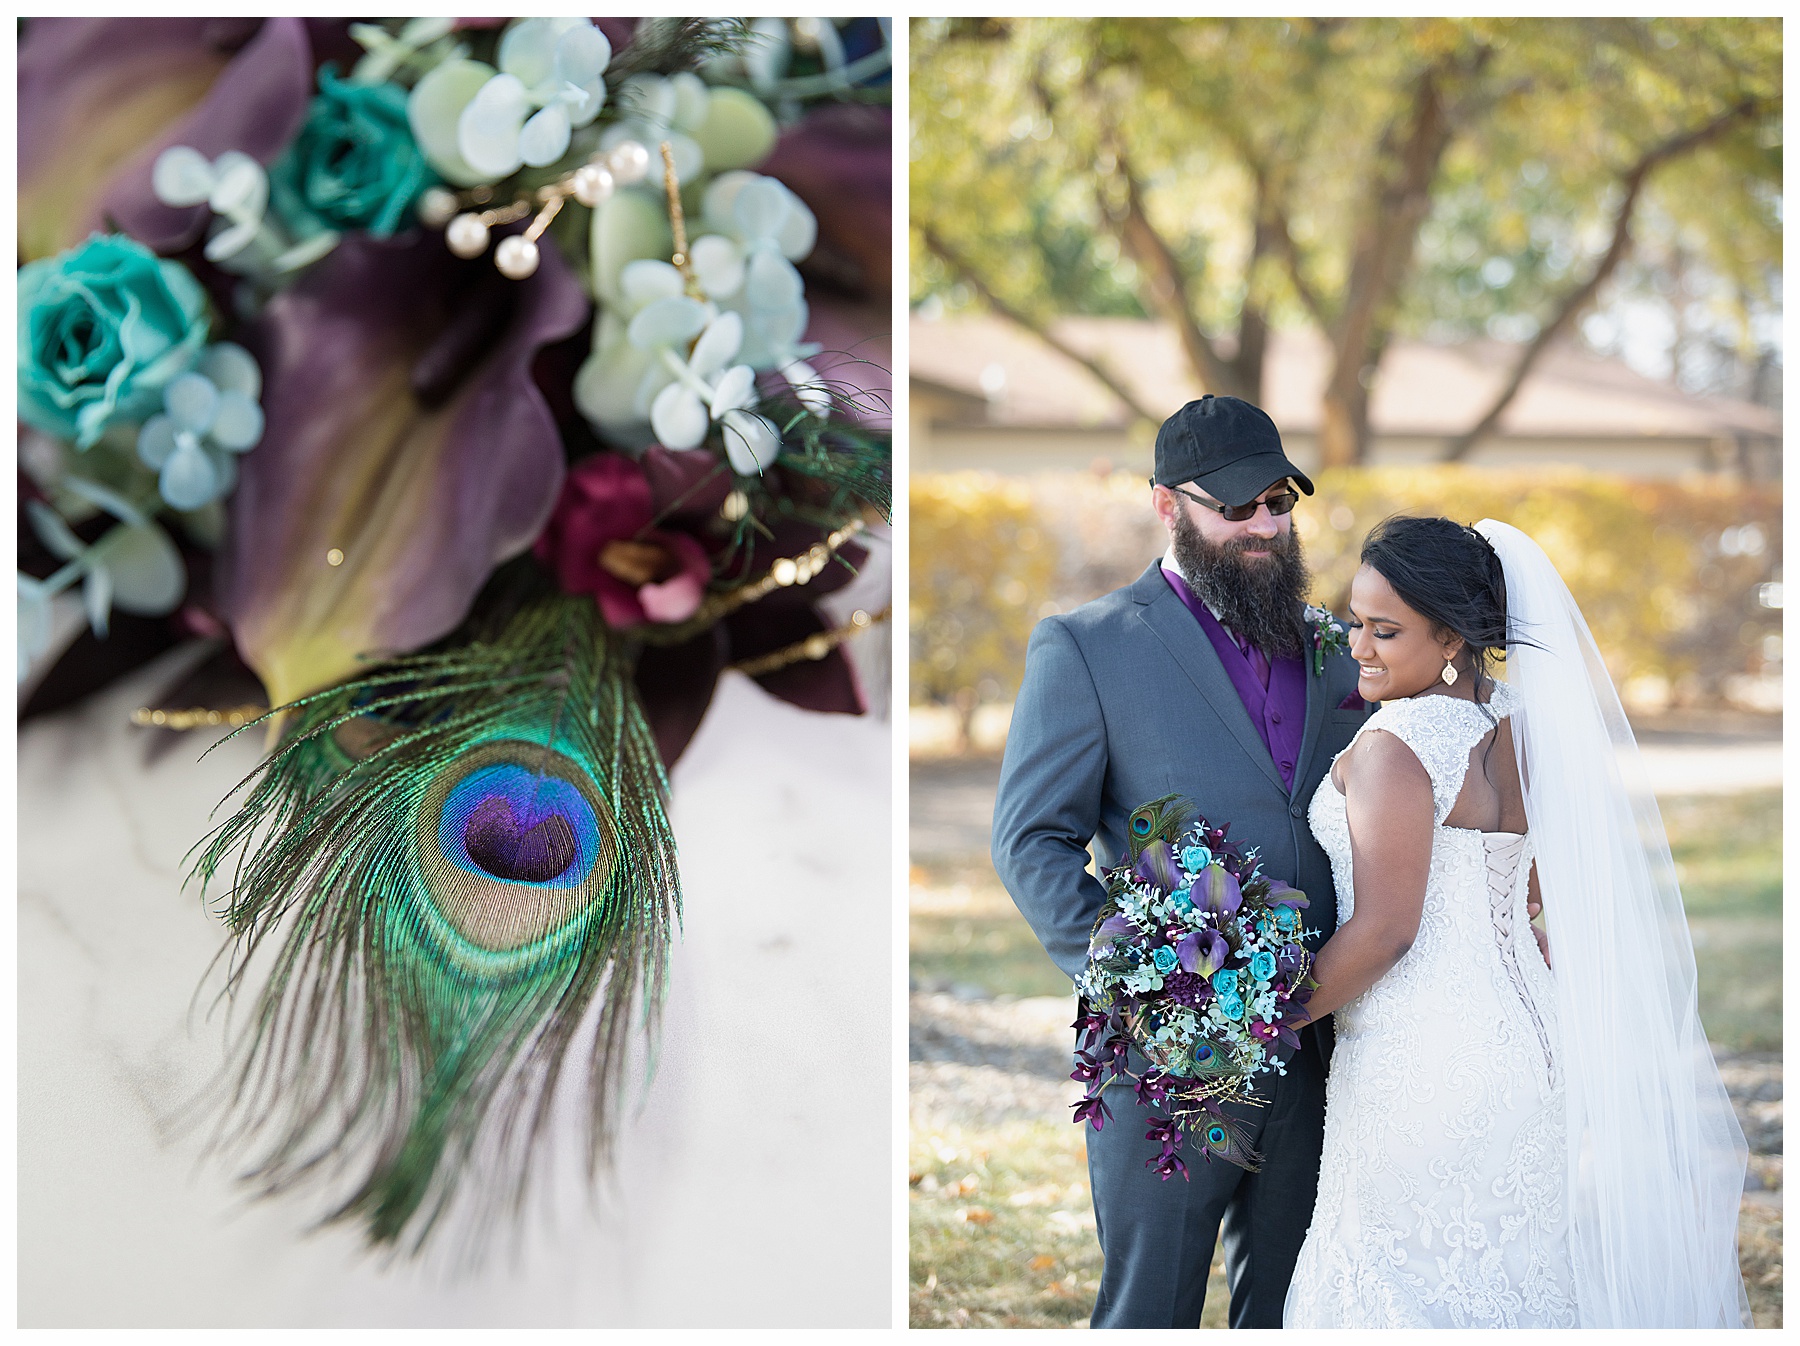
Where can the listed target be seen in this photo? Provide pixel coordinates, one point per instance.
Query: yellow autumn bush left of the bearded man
(982, 566)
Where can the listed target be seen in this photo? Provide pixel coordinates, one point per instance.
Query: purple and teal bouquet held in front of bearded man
(1198, 962)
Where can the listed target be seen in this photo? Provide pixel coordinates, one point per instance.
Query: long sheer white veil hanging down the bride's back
(1655, 1154)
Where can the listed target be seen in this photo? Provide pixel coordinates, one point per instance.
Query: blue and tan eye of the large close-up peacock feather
(516, 843)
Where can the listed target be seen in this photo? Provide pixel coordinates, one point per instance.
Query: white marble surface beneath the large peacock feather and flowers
(742, 1196)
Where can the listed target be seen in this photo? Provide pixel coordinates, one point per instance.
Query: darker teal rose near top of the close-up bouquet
(354, 165)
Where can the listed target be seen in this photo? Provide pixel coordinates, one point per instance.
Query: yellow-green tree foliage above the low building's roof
(1236, 125)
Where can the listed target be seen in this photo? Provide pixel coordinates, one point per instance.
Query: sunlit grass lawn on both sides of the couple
(1002, 1223)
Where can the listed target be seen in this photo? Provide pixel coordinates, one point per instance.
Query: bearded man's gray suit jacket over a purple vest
(1126, 701)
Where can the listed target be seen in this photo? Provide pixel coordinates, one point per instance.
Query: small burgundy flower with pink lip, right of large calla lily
(600, 543)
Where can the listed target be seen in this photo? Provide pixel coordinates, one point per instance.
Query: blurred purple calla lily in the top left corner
(102, 98)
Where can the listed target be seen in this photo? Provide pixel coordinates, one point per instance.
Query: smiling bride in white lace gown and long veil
(1518, 1131)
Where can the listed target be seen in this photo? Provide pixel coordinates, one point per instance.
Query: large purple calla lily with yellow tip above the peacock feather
(388, 460)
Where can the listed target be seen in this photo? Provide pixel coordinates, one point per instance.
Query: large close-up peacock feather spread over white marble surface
(444, 866)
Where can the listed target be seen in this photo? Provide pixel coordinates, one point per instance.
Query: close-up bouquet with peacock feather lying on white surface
(483, 391)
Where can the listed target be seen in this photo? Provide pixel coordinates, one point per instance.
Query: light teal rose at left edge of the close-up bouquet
(102, 330)
